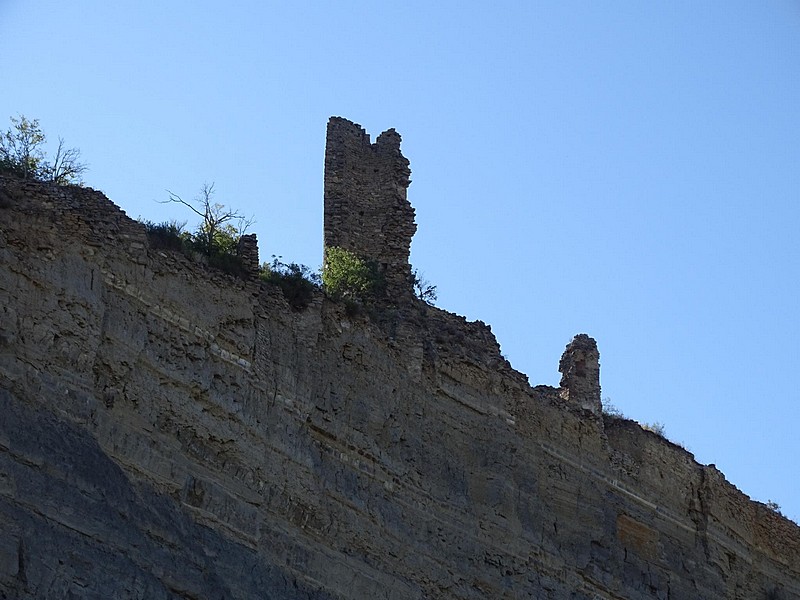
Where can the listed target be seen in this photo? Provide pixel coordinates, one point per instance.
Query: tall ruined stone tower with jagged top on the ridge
(366, 209)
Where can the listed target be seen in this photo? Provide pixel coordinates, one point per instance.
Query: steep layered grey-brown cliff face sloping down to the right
(168, 431)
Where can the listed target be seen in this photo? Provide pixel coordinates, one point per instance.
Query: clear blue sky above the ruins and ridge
(626, 169)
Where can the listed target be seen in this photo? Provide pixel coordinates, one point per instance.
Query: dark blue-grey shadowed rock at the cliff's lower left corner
(85, 529)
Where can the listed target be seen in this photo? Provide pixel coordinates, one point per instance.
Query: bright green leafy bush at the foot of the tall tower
(345, 276)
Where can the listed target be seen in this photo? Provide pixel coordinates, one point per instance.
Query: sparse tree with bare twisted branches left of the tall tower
(217, 234)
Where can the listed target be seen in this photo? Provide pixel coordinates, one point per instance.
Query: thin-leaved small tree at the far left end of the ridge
(21, 154)
